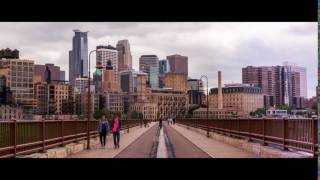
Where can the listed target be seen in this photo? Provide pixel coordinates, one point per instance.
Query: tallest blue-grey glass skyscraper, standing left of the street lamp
(78, 56)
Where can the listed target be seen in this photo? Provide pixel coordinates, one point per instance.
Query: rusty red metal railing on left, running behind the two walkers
(25, 137)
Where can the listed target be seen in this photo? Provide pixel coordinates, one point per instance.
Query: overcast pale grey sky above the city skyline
(210, 46)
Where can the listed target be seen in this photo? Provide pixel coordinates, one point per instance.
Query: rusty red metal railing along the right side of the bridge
(296, 134)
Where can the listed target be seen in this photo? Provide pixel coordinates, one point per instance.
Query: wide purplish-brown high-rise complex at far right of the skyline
(280, 84)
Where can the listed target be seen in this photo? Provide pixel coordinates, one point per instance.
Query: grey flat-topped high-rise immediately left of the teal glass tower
(150, 64)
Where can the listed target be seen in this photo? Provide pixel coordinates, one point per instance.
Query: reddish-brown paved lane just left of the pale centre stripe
(142, 147)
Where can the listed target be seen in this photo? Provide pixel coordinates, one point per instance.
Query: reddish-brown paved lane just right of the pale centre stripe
(181, 146)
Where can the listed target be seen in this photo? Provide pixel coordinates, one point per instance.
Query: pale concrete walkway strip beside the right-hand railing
(214, 148)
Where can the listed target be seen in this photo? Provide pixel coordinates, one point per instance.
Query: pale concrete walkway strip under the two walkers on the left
(109, 151)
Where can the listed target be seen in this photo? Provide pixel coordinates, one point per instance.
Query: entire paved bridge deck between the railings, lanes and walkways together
(176, 142)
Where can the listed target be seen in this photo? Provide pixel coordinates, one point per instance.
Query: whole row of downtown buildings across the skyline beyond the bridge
(161, 88)
